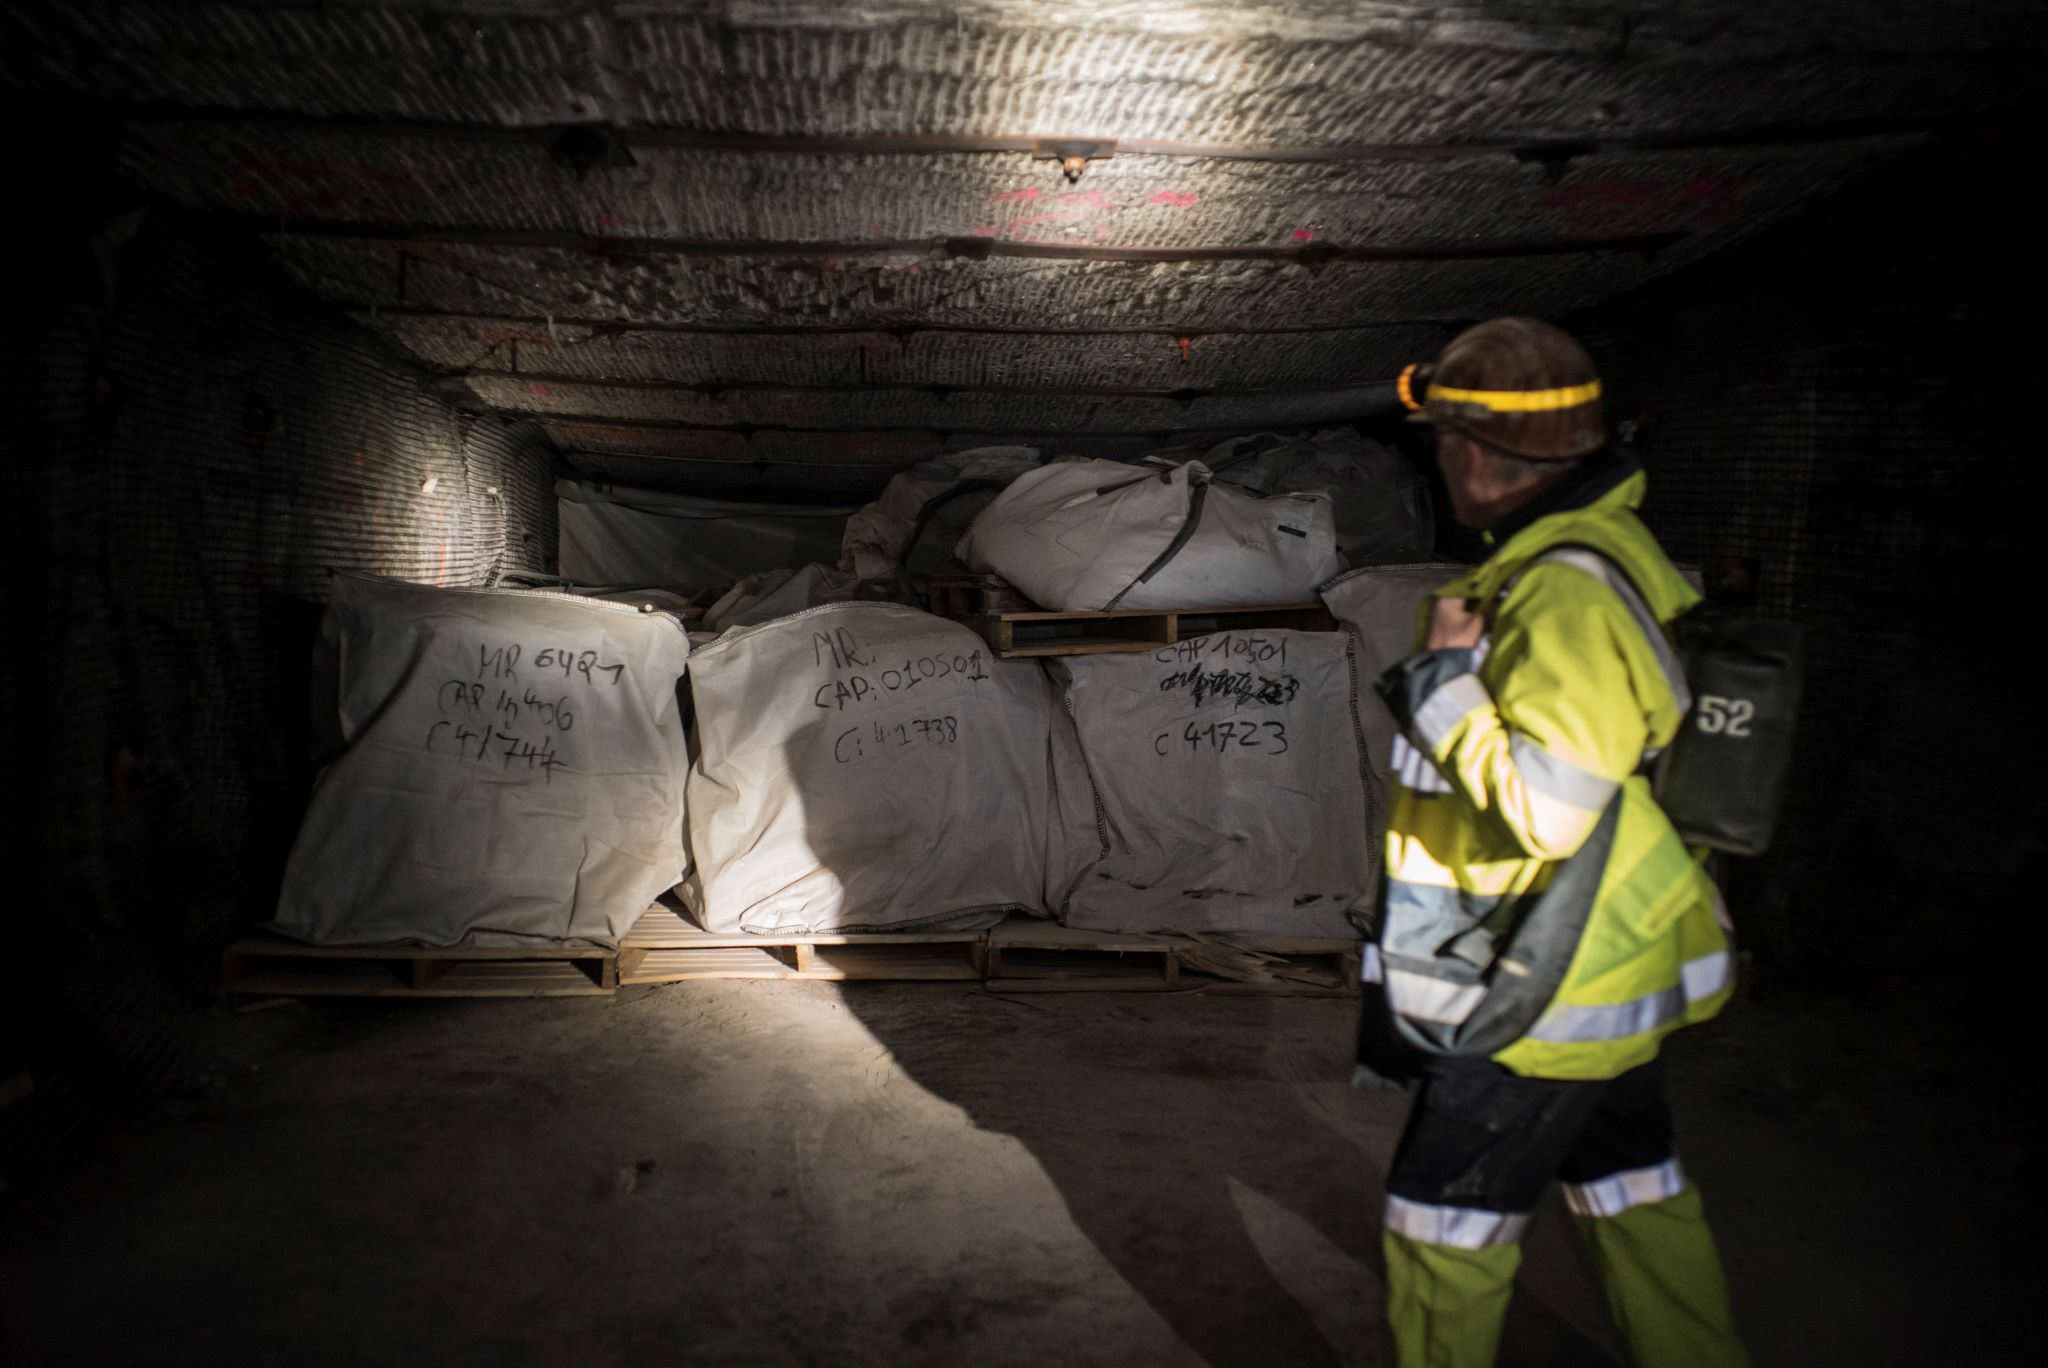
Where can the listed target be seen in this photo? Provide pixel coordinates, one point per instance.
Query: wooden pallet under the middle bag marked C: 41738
(667, 949)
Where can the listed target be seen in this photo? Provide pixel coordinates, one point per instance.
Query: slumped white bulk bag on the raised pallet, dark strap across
(1105, 536)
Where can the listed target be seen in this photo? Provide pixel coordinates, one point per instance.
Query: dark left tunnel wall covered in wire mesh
(198, 452)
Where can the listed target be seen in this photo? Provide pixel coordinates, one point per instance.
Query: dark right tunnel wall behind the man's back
(1828, 425)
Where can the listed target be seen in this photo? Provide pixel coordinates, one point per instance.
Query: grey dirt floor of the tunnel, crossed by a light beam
(931, 1174)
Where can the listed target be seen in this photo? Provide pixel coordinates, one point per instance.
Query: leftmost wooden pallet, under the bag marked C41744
(278, 968)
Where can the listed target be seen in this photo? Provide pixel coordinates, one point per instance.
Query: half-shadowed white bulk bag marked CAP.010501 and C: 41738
(867, 767)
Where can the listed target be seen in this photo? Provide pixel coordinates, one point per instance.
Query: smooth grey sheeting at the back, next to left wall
(687, 544)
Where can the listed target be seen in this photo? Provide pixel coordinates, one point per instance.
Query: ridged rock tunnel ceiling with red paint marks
(798, 245)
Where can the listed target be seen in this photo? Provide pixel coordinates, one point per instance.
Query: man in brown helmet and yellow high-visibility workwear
(1541, 927)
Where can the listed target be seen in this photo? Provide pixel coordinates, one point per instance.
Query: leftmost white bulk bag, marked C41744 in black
(511, 769)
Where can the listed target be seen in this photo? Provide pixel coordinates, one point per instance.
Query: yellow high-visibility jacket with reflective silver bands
(1537, 904)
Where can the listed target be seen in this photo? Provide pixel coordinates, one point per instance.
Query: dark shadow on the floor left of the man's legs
(1156, 1131)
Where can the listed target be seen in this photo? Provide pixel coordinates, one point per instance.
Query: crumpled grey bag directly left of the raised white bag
(880, 536)
